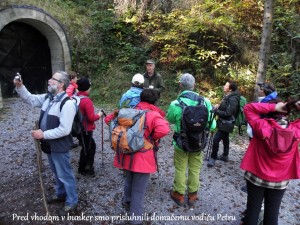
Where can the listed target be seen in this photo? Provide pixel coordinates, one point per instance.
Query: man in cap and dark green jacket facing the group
(153, 79)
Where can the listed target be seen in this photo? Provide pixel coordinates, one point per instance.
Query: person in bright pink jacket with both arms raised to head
(268, 170)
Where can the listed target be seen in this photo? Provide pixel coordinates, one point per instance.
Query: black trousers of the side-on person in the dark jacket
(219, 136)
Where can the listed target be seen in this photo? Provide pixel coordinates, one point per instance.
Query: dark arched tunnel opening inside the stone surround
(25, 50)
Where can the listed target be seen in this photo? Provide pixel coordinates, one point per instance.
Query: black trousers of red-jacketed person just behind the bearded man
(88, 150)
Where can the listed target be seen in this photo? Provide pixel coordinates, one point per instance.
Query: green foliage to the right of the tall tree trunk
(282, 69)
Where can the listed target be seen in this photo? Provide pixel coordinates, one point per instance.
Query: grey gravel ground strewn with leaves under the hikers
(220, 199)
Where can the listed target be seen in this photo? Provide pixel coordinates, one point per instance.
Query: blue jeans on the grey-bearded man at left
(64, 177)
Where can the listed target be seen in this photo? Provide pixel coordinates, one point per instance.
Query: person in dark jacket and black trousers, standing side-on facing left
(226, 112)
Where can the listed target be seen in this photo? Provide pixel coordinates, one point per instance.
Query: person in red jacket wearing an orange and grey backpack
(142, 163)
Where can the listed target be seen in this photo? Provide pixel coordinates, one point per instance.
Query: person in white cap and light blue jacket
(132, 97)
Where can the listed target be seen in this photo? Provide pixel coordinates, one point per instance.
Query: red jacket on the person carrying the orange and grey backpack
(144, 162)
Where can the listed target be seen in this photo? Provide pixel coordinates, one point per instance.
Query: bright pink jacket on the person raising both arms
(260, 160)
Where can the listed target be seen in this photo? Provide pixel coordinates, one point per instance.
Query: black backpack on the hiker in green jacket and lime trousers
(192, 136)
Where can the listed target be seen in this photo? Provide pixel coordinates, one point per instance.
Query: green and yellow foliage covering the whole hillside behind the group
(214, 40)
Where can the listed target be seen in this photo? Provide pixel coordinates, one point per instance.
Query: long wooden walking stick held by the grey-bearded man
(39, 164)
